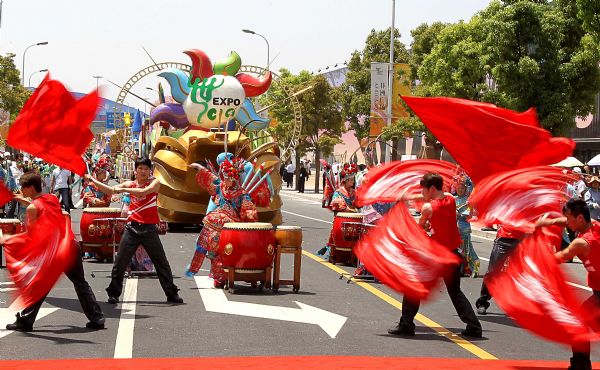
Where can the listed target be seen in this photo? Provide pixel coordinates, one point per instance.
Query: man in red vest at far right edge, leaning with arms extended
(586, 246)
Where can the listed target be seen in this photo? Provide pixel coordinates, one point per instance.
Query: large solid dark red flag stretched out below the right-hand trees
(485, 139)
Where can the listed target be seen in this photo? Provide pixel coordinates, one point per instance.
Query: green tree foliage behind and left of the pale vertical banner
(355, 94)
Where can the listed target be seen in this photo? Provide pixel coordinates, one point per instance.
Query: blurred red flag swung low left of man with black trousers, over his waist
(402, 256)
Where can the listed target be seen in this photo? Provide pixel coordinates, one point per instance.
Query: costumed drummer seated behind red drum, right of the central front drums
(343, 200)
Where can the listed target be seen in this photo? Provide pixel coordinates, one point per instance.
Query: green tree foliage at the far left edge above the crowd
(12, 94)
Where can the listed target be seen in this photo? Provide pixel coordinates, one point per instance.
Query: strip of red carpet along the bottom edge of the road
(287, 363)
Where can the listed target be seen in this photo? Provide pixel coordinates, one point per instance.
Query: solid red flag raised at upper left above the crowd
(55, 126)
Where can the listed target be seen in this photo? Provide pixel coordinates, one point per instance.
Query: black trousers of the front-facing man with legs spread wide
(146, 235)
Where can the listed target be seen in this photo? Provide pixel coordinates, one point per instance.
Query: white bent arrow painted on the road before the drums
(215, 300)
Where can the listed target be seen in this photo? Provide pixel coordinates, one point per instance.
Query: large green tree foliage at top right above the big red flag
(520, 54)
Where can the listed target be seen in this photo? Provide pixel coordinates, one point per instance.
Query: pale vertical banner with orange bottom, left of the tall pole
(379, 97)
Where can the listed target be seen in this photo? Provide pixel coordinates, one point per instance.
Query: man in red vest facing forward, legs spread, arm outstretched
(141, 229)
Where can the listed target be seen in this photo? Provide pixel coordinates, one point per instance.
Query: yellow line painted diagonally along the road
(477, 351)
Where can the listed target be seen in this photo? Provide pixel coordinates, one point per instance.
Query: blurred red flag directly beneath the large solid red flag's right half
(519, 197)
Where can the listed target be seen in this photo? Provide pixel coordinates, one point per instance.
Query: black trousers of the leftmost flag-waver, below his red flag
(85, 294)
